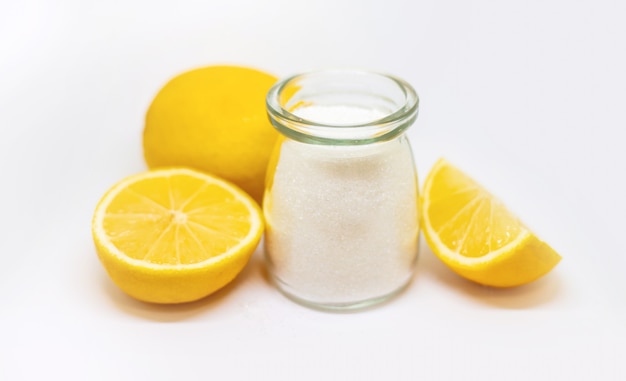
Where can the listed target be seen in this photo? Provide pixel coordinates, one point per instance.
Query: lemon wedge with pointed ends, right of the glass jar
(476, 236)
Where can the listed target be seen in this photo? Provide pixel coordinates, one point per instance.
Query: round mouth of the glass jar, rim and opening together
(342, 106)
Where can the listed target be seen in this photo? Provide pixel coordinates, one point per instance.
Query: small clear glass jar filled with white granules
(341, 198)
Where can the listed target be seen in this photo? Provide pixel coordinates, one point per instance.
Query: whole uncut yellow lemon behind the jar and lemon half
(213, 119)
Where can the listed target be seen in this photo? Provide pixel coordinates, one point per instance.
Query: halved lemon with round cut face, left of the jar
(175, 235)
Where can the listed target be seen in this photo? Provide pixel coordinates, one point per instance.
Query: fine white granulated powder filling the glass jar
(342, 220)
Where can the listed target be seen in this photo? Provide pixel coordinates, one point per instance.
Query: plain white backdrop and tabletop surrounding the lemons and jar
(528, 97)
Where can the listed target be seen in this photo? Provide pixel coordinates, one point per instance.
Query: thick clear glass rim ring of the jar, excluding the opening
(306, 130)
